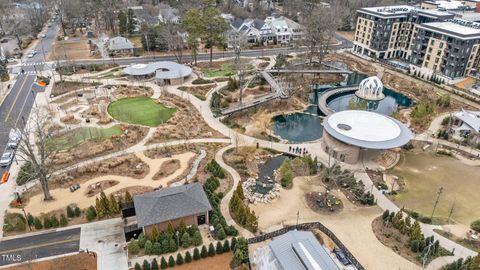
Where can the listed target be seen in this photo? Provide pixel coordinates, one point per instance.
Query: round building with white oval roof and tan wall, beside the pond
(347, 132)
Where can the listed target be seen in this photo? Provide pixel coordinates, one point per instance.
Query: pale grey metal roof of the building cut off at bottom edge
(300, 250)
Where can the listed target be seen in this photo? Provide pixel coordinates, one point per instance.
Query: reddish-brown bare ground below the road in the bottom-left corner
(80, 261)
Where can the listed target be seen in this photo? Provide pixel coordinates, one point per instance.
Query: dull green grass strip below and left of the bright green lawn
(81, 135)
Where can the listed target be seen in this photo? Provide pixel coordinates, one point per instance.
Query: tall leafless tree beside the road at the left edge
(35, 147)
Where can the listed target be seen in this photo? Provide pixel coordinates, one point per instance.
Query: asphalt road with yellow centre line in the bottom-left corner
(39, 246)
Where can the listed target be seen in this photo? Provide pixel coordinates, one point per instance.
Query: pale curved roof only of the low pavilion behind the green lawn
(162, 70)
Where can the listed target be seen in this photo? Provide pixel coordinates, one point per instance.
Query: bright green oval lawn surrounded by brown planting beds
(140, 110)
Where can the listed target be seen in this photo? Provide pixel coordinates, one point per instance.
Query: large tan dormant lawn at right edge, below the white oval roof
(424, 173)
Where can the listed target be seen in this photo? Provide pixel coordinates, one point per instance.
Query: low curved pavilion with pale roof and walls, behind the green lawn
(164, 72)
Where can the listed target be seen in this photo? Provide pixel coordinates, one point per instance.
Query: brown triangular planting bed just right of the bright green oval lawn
(186, 123)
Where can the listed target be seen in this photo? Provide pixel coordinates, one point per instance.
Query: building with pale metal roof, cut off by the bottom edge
(295, 250)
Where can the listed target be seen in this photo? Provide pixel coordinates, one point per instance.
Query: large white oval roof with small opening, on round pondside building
(367, 129)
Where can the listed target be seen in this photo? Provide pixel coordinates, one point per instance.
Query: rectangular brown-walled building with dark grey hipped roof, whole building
(187, 203)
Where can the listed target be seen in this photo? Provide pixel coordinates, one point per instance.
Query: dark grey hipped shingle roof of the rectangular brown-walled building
(170, 203)
